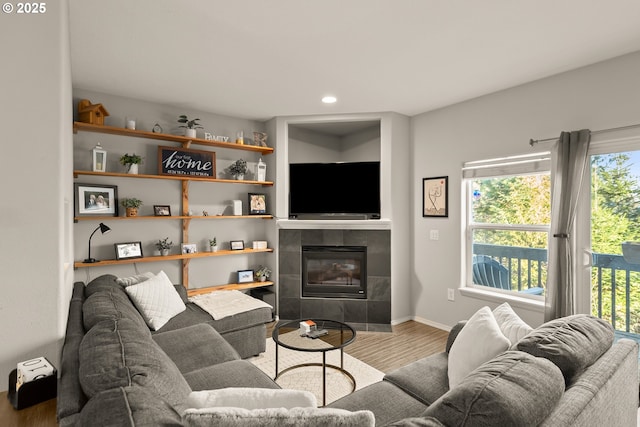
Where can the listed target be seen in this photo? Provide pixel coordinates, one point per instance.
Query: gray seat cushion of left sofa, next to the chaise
(195, 347)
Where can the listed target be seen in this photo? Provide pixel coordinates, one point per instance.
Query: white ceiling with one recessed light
(263, 58)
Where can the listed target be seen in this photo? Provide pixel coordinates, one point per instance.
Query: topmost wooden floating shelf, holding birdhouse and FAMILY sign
(86, 127)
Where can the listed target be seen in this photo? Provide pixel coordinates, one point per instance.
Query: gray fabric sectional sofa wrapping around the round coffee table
(116, 371)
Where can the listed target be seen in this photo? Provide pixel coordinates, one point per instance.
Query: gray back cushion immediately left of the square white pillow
(105, 305)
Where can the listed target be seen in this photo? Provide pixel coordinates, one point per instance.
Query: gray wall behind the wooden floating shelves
(213, 197)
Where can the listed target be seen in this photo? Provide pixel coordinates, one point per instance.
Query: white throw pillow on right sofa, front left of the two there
(479, 341)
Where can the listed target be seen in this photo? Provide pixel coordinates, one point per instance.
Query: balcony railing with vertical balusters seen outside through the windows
(615, 282)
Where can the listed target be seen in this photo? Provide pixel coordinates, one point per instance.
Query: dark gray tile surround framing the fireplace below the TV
(371, 314)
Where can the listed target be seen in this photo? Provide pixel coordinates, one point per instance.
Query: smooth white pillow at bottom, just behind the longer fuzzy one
(251, 398)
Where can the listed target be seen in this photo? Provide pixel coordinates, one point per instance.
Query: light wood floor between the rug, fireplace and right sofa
(408, 342)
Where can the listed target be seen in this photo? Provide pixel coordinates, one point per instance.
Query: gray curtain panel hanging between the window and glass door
(569, 160)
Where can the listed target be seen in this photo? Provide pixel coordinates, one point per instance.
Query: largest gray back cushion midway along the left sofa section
(117, 353)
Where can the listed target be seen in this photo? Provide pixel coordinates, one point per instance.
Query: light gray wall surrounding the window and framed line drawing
(600, 96)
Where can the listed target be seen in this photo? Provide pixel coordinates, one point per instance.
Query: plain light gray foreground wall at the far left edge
(36, 204)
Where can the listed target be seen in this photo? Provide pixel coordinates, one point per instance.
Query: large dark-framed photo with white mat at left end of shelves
(95, 200)
